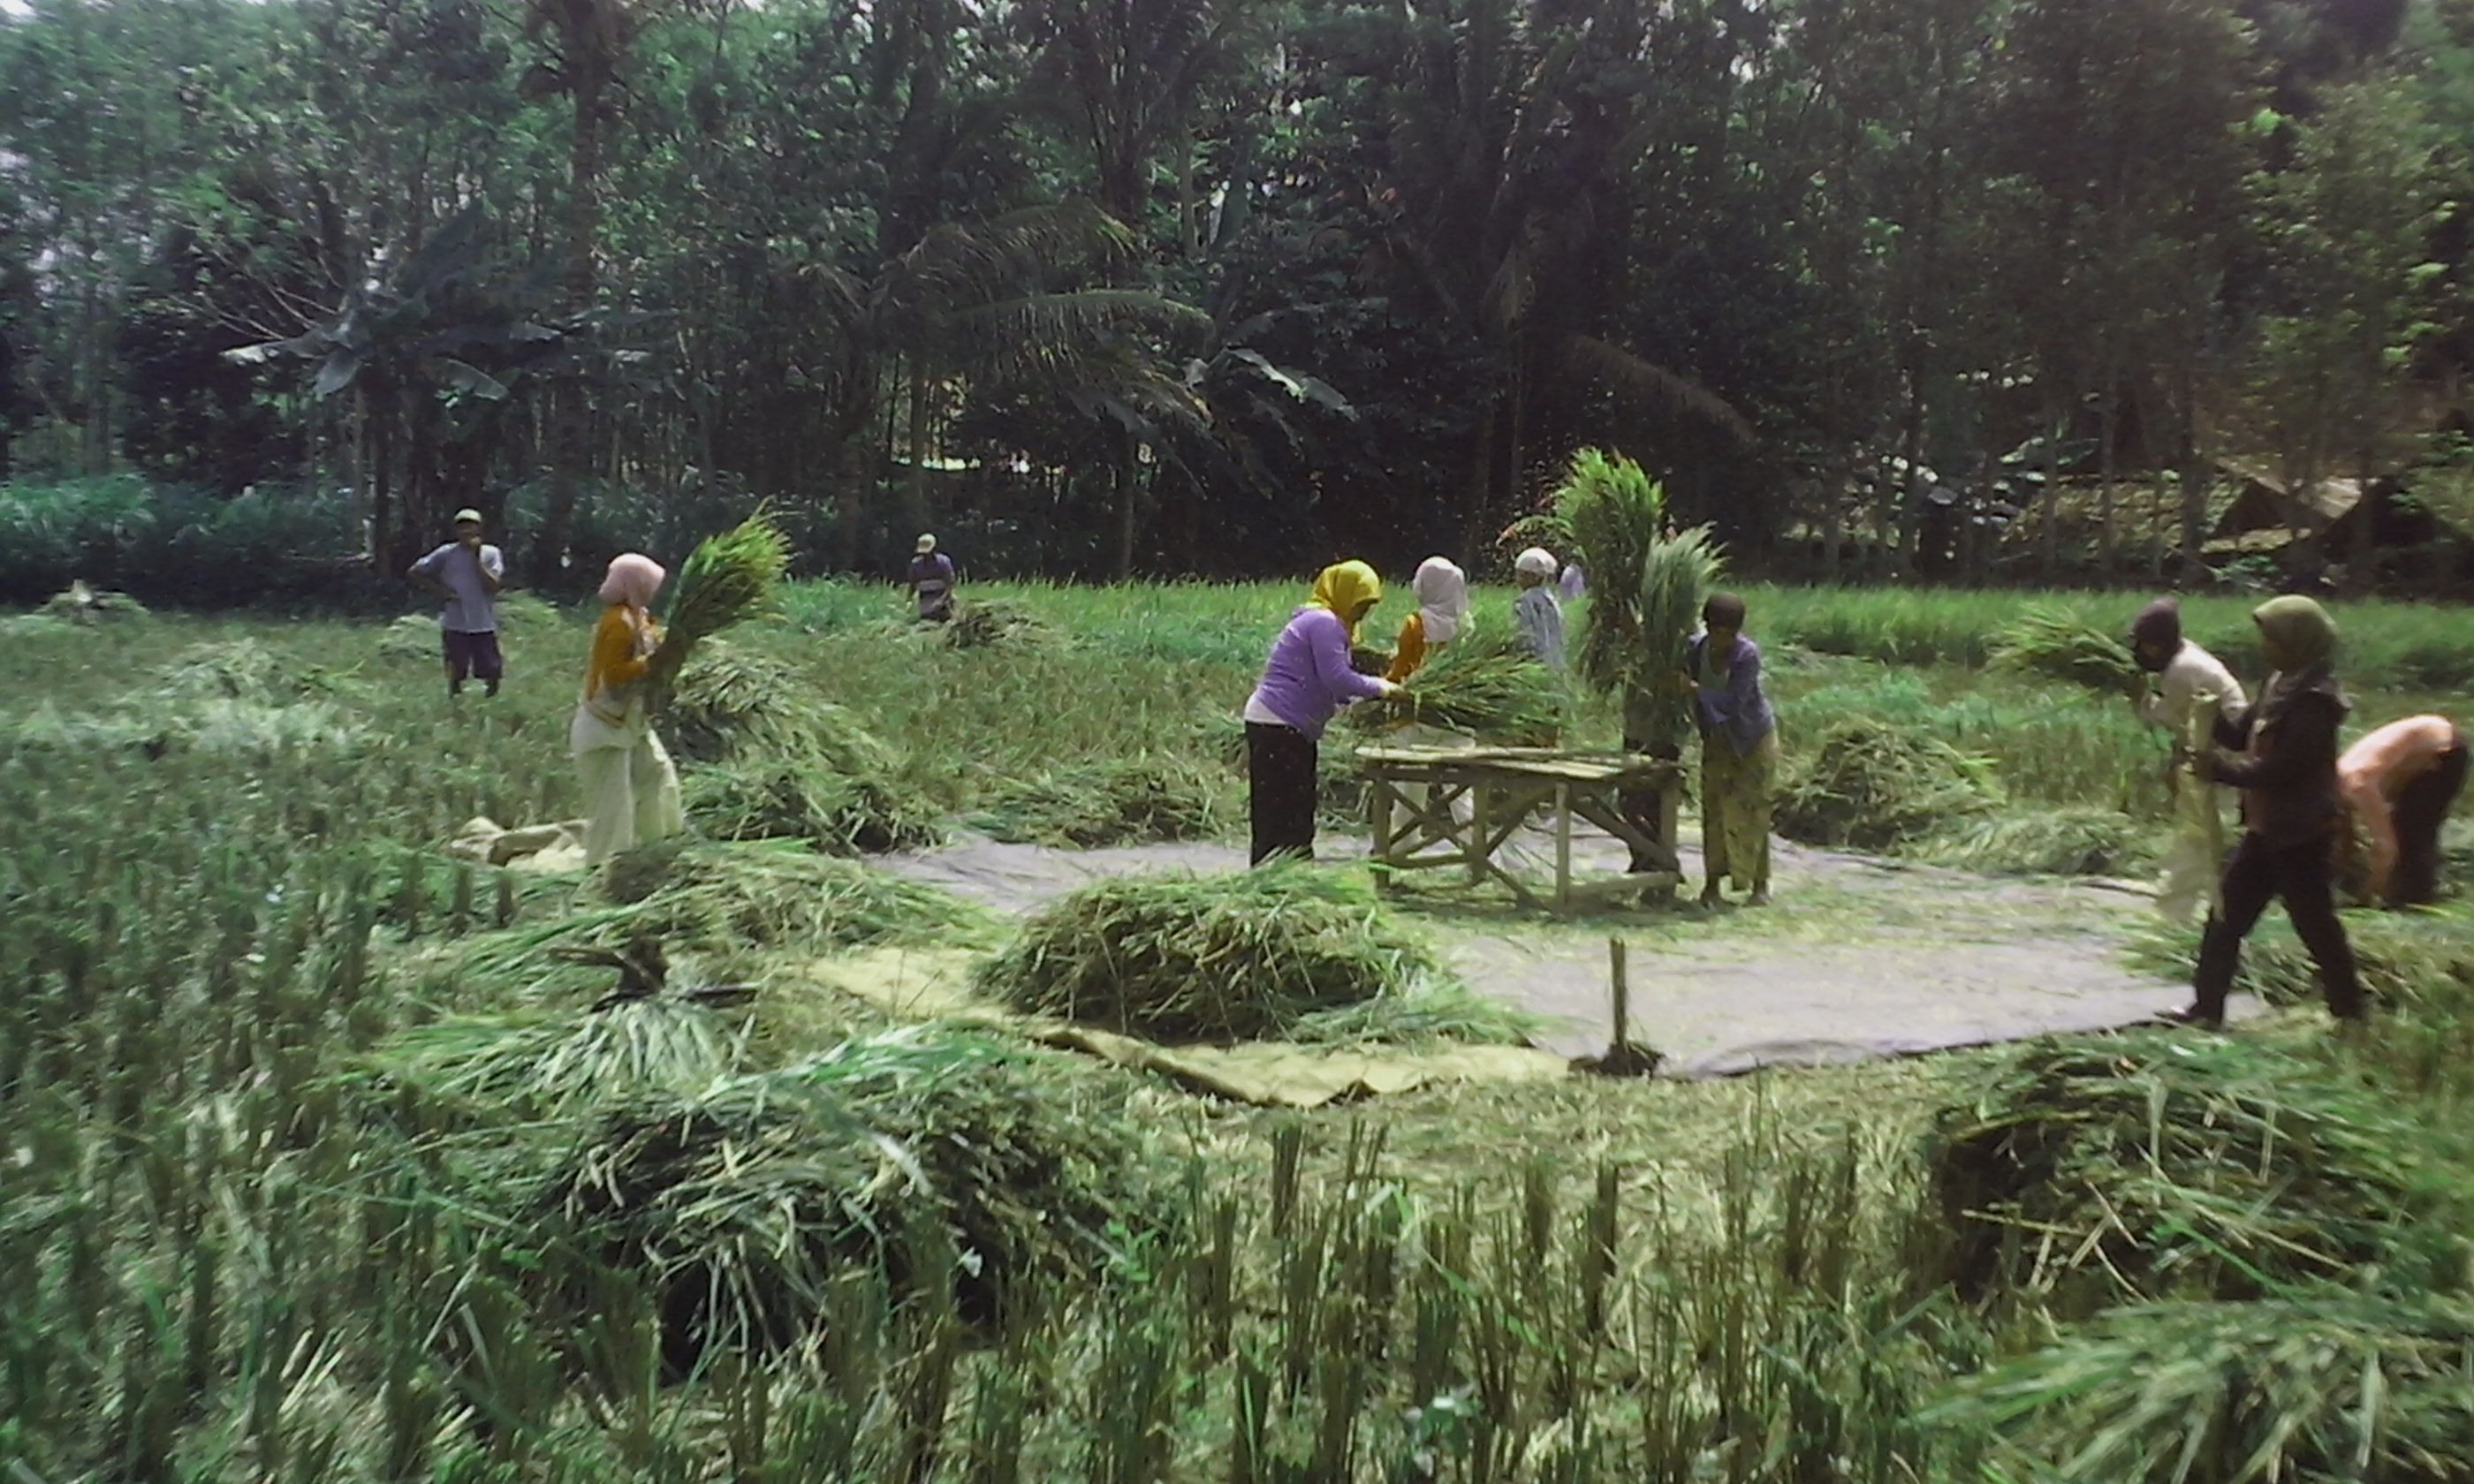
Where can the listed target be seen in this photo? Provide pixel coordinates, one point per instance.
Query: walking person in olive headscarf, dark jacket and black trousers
(2290, 812)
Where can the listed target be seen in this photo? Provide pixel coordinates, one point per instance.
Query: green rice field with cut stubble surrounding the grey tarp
(333, 1156)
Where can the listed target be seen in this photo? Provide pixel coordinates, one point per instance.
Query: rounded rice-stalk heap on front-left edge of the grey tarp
(1213, 958)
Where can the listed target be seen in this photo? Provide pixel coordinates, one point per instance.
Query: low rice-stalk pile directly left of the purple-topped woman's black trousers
(1137, 800)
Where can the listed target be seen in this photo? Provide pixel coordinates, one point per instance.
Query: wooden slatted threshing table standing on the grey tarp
(1439, 808)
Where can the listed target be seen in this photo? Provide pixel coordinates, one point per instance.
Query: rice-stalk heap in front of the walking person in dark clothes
(2156, 1166)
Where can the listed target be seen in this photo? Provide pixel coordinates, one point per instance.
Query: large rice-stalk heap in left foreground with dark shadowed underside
(746, 1203)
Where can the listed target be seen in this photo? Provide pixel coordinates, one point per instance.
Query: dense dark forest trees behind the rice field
(1881, 288)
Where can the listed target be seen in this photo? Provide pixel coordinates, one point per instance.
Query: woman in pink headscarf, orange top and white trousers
(630, 785)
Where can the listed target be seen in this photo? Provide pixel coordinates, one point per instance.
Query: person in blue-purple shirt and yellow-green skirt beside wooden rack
(1740, 751)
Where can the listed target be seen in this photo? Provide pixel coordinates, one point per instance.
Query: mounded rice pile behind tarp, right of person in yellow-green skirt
(1877, 785)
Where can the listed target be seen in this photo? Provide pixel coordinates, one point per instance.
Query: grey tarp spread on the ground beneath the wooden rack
(1721, 1008)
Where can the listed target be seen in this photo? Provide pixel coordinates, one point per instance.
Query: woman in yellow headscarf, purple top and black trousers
(1303, 684)
